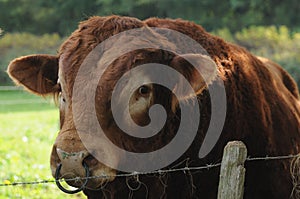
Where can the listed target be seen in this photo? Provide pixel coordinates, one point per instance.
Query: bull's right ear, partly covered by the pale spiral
(199, 70)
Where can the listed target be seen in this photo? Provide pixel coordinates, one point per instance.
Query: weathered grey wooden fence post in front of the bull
(232, 175)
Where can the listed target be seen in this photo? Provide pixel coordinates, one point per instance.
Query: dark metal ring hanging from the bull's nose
(87, 174)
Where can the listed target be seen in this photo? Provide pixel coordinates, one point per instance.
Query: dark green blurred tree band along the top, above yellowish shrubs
(62, 16)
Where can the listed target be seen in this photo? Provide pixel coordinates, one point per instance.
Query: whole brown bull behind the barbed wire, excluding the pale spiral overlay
(263, 111)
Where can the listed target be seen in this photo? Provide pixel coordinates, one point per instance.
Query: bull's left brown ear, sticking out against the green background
(37, 73)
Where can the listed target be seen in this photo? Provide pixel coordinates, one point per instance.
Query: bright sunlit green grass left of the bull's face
(28, 127)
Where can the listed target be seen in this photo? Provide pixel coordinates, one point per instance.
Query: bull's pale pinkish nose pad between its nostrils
(72, 163)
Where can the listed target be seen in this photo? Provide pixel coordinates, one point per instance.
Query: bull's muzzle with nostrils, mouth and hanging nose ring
(80, 170)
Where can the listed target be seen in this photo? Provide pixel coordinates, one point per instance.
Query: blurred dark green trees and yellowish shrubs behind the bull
(268, 28)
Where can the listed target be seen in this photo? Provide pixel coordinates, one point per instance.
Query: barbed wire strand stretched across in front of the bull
(163, 171)
